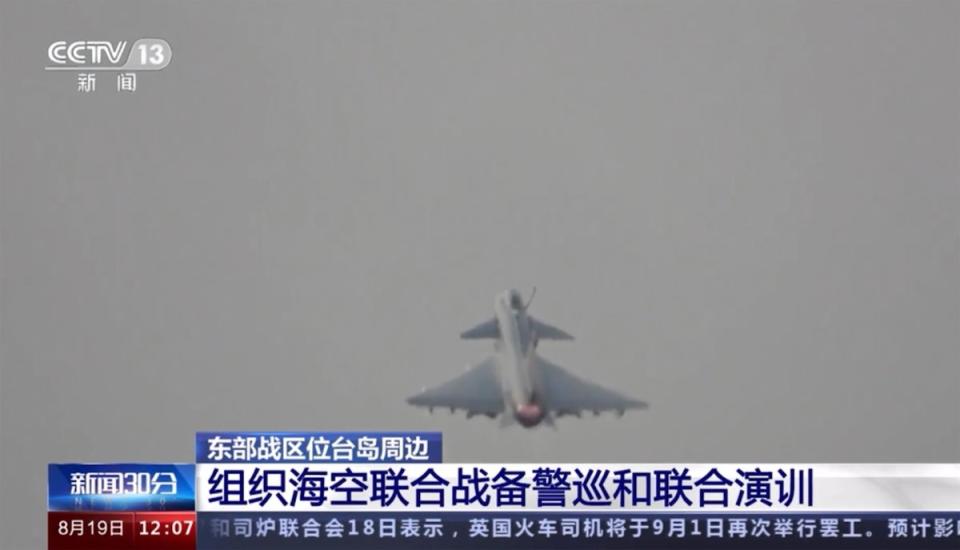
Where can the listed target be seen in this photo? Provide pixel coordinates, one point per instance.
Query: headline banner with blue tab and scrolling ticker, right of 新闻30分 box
(392, 490)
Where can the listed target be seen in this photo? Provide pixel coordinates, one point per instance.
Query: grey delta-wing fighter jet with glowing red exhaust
(516, 382)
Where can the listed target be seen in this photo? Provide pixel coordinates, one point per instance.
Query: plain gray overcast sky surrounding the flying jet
(746, 212)
